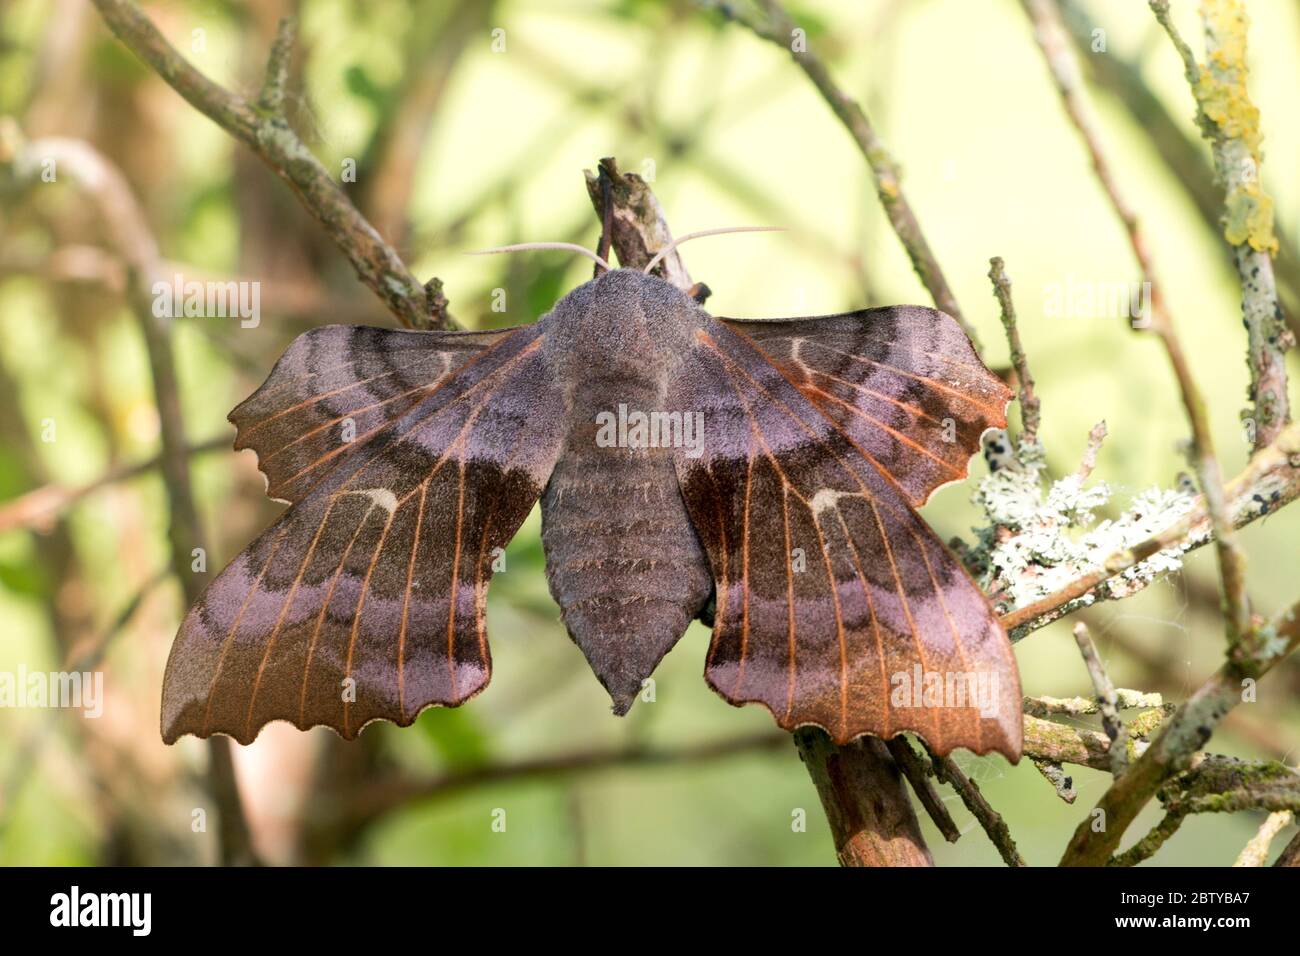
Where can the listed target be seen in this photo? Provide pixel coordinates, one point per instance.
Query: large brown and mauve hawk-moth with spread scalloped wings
(411, 458)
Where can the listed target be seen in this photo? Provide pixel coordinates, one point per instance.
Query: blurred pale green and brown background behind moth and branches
(466, 137)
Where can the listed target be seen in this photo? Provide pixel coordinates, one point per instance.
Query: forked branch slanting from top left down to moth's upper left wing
(263, 128)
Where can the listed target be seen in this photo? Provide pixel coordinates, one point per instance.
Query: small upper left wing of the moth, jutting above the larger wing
(335, 388)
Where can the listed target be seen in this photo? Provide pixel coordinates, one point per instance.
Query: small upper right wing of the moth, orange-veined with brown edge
(904, 383)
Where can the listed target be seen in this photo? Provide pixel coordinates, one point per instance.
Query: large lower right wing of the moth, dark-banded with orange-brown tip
(837, 604)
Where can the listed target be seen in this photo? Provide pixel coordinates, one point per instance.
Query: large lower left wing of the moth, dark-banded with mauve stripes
(366, 600)
